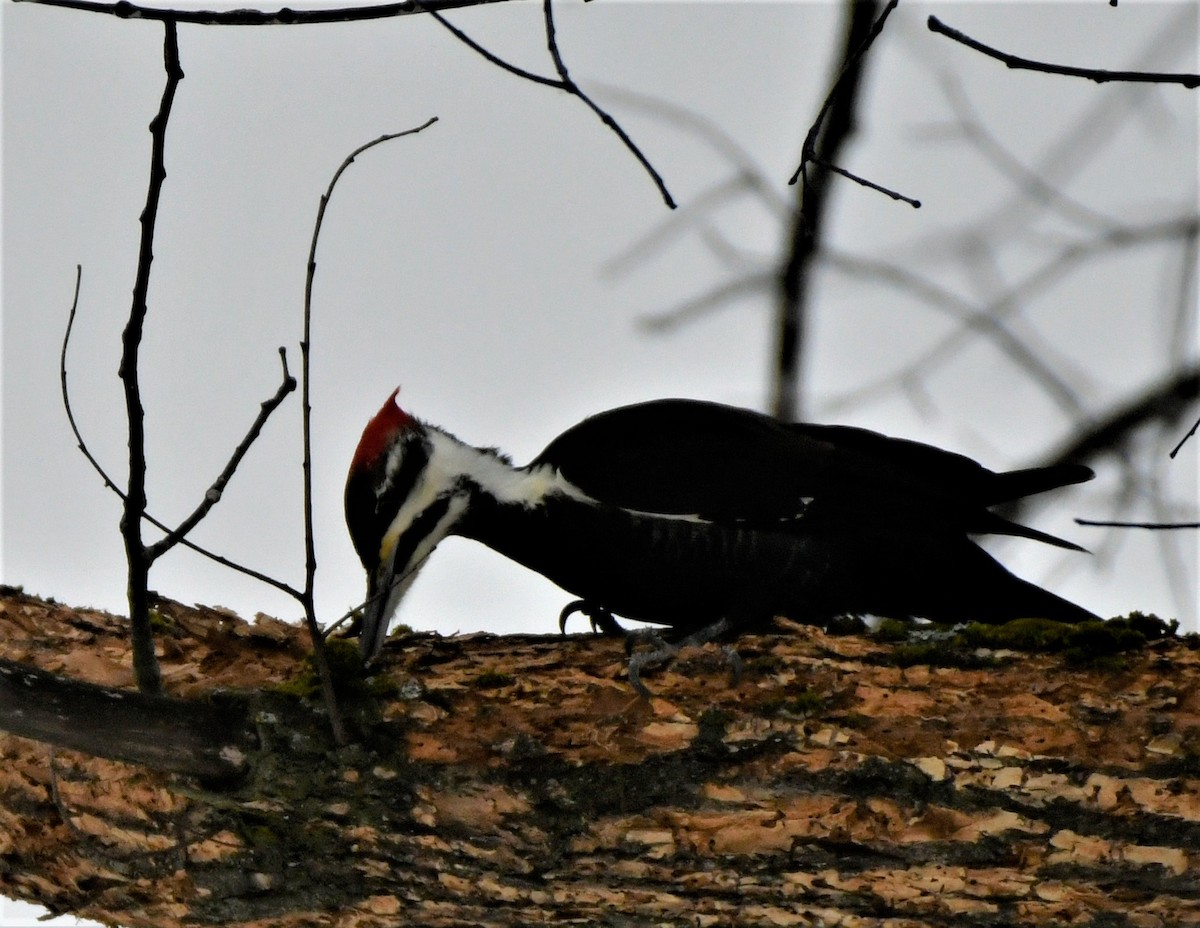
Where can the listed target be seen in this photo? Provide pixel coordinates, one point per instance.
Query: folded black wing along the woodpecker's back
(730, 465)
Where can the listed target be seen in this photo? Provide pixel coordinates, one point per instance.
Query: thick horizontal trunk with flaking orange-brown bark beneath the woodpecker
(519, 781)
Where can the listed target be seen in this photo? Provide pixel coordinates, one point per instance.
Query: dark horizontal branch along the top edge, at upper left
(284, 16)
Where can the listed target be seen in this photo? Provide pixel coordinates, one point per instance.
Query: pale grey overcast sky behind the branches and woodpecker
(501, 265)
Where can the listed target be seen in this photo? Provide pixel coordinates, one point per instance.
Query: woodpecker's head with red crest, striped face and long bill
(400, 504)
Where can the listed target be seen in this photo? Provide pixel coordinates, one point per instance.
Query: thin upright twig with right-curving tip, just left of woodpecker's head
(308, 597)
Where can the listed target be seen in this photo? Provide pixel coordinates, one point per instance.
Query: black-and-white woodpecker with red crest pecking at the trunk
(704, 518)
